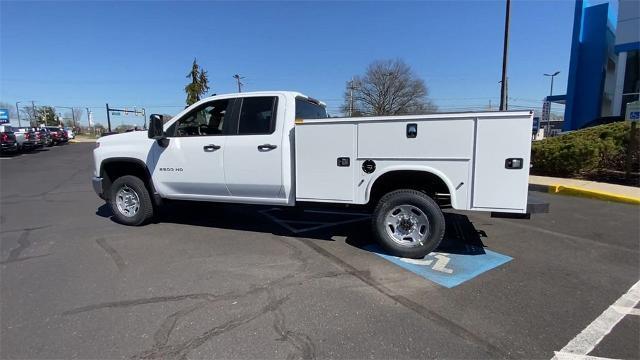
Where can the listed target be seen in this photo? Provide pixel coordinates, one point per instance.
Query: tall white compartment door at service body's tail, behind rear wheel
(501, 172)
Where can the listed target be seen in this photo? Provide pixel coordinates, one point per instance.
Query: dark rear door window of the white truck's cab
(257, 115)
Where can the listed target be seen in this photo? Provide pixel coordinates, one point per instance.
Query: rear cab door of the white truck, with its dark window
(253, 156)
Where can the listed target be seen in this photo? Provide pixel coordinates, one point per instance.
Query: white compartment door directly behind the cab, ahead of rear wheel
(319, 176)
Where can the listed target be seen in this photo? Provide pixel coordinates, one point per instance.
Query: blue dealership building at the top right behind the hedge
(604, 66)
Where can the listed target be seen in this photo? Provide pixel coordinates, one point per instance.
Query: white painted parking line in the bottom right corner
(580, 346)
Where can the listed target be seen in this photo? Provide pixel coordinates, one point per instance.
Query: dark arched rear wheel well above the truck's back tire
(423, 181)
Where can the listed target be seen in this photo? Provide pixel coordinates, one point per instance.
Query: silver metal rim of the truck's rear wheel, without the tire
(407, 225)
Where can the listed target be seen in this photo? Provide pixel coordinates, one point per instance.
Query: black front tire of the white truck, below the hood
(145, 206)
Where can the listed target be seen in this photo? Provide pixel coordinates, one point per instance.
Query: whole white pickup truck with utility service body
(280, 148)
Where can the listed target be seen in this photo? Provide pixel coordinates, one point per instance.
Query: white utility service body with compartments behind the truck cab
(470, 152)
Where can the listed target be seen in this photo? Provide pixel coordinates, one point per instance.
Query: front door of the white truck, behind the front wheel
(191, 166)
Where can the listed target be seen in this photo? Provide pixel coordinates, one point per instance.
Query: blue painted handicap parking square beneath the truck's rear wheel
(448, 269)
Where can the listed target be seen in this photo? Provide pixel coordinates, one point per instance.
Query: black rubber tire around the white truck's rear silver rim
(425, 205)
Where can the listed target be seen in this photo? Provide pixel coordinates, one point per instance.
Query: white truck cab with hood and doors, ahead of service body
(229, 148)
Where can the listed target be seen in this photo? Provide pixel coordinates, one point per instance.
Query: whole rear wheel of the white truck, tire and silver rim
(408, 223)
